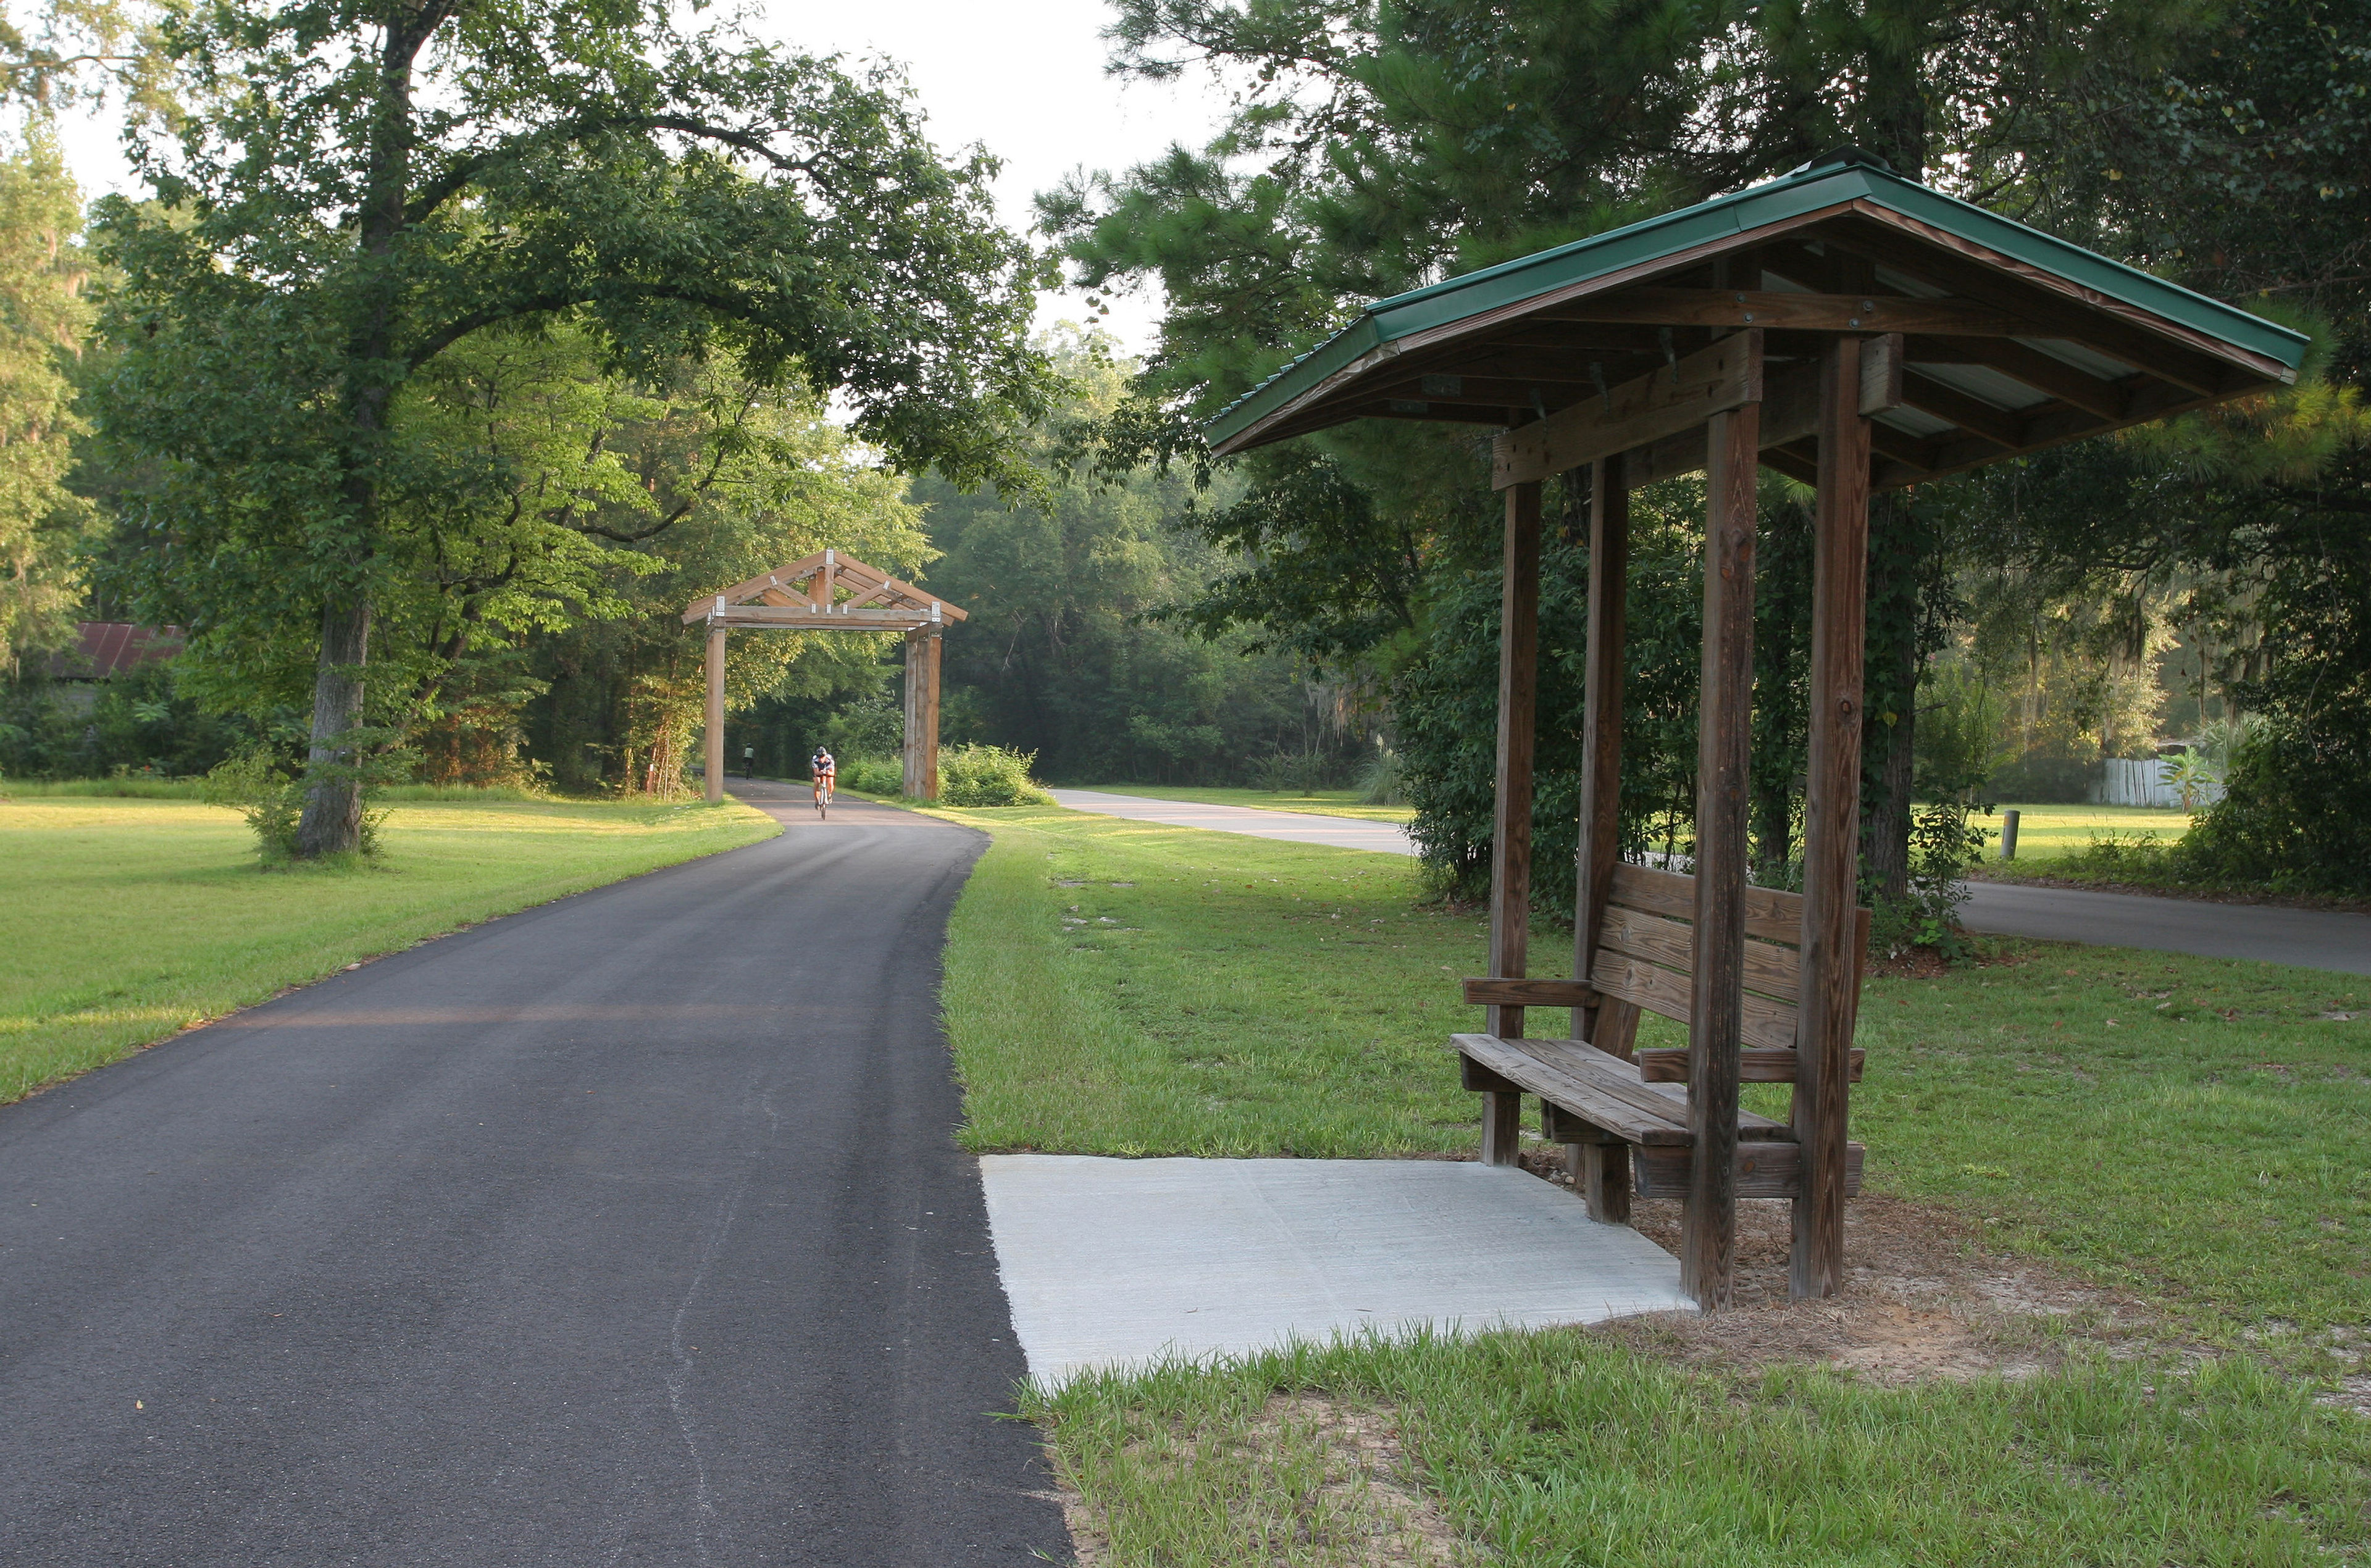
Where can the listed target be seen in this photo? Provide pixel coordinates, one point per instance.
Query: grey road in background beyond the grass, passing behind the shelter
(2111, 919)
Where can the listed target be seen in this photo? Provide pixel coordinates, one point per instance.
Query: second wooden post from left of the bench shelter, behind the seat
(1602, 722)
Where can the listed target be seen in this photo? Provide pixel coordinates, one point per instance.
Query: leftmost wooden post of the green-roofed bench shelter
(1512, 822)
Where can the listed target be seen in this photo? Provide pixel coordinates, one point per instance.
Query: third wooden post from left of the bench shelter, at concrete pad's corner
(1725, 732)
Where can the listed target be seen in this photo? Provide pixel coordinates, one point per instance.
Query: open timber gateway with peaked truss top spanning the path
(807, 597)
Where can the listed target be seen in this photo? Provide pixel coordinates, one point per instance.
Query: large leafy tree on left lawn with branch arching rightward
(354, 191)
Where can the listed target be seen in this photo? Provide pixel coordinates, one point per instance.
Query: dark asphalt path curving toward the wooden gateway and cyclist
(627, 1230)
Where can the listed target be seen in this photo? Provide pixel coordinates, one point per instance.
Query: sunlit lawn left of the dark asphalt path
(127, 919)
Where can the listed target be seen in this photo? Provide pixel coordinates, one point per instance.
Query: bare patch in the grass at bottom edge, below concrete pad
(1329, 1481)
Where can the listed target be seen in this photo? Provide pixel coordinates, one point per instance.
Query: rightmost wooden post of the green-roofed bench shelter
(1832, 827)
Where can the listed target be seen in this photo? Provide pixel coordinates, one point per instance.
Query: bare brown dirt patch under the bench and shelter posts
(1924, 1299)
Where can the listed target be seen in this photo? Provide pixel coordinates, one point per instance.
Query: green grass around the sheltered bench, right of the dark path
(2183, 1130)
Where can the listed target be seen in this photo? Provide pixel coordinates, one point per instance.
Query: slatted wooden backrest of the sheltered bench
(1647, 952)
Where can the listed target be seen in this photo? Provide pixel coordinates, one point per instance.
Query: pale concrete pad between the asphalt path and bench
(1123, 1263)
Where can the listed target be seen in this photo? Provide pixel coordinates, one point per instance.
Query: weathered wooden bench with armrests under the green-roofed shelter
(1623, 1114)
